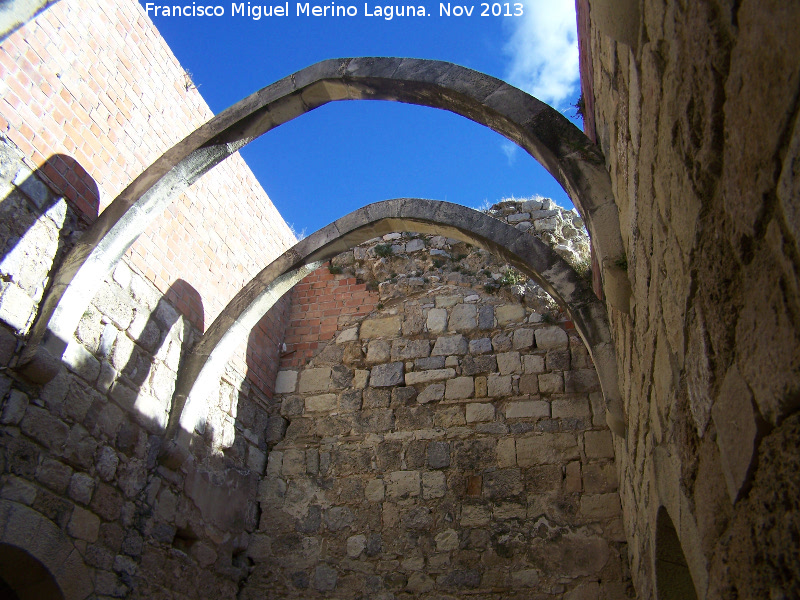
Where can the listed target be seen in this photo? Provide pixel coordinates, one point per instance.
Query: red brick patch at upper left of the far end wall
(319, 301)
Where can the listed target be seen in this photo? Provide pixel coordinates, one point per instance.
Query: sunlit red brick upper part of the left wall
(92, 95)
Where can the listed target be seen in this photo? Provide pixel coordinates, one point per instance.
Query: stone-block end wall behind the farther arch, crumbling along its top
(451, 442)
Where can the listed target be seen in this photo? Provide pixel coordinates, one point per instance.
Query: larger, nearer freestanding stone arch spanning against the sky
(574, 161)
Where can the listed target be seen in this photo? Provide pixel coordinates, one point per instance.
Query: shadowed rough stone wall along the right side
(697, 119)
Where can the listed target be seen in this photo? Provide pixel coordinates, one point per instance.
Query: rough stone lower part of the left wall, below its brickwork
(79, 456)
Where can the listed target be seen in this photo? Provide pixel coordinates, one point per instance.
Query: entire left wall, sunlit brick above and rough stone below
(89, 96)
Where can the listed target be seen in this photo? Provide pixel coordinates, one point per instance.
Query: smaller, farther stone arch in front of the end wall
(525, 252)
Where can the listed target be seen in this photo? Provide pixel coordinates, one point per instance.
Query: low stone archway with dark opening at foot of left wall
(30, 539)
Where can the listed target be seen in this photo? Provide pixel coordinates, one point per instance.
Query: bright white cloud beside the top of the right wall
(543, 48)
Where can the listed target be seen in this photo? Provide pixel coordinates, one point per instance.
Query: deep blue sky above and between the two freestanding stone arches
(347, 154)
